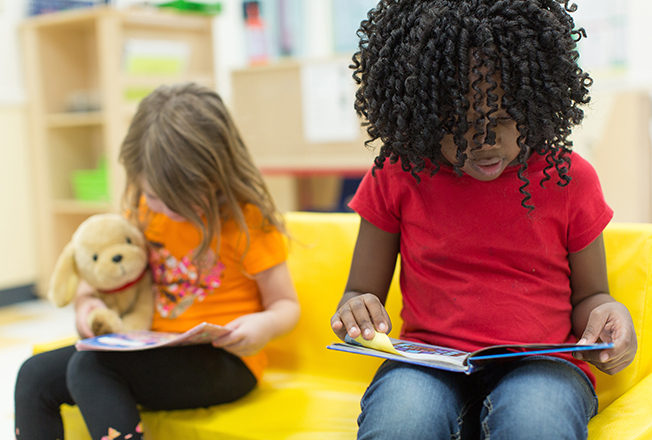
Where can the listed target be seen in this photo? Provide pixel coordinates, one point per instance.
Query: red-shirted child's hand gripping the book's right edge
(610, 322)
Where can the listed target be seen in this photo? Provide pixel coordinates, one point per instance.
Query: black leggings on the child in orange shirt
(108, 387)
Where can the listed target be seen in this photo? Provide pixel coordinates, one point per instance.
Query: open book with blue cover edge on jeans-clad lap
(450, 359)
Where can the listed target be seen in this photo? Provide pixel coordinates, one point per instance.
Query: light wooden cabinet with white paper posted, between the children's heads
(271, 104)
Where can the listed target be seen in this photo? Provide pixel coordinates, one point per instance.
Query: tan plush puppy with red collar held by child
(110, 254)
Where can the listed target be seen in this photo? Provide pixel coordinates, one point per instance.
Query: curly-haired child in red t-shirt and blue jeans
(472, 102)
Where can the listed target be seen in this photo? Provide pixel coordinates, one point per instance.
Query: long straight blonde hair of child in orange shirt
(184, 144)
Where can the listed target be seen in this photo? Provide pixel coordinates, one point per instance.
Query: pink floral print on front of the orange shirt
(179, 283)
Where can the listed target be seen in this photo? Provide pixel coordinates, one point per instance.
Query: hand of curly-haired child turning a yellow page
(361, 314)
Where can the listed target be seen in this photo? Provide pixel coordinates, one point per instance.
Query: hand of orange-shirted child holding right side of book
(248, 335)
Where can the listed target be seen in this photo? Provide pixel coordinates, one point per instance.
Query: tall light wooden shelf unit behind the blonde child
(83, 91)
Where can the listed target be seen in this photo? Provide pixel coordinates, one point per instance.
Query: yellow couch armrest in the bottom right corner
(628, 417)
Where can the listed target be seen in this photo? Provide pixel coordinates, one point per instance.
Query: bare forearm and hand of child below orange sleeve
(250, 333)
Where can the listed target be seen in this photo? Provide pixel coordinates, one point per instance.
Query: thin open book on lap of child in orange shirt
(134, 340)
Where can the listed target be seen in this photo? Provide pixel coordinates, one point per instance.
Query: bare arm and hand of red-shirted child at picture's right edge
(596, 315)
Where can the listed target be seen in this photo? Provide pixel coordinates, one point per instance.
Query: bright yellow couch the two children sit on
(310, 392)
